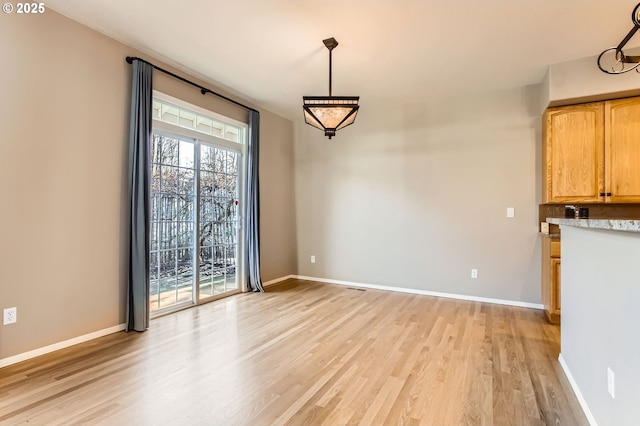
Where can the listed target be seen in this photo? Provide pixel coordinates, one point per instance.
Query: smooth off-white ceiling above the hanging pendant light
(397, 52)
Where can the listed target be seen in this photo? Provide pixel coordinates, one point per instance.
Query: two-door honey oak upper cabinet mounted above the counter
(591, 152)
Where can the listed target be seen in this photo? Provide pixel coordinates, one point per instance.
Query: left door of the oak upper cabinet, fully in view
(574, 153)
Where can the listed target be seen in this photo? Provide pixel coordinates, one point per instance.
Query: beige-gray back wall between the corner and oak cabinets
(414, 196)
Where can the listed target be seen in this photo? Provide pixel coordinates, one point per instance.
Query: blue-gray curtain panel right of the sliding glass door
(254, 282)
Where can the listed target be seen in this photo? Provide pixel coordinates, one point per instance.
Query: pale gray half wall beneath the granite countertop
(601, 319)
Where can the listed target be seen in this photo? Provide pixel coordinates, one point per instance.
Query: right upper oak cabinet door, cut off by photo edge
(622, 150)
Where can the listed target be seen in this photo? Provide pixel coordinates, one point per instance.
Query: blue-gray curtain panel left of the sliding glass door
(139, 175)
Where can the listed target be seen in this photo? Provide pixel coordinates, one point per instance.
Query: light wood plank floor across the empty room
(305, 353)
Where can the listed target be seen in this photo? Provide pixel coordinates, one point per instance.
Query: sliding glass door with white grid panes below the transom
(195, 221)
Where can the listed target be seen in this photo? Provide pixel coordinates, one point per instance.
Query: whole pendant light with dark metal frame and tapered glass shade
(330, 113)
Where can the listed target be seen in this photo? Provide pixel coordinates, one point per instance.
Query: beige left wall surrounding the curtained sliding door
(63, 146)
